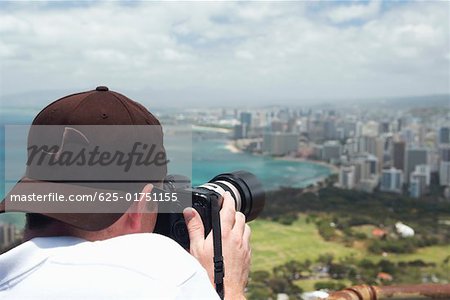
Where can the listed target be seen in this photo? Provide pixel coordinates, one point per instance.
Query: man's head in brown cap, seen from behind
(91, 143)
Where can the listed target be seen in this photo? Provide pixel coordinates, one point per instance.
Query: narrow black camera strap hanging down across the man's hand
(219, 271)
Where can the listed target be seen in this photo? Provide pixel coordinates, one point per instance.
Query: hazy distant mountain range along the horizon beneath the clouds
(197, 98)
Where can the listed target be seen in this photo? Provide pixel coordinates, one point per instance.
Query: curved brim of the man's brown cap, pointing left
(70, 213)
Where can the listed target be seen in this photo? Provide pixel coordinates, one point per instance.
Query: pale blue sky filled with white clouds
(224, 53)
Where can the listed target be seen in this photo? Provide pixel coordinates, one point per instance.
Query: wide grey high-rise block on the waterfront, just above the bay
(279, 143)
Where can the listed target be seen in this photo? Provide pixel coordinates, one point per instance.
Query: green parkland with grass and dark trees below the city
(335, 230)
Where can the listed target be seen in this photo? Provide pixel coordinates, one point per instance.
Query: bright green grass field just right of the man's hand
(274, 244)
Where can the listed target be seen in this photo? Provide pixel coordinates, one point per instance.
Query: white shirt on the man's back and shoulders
(134, 266)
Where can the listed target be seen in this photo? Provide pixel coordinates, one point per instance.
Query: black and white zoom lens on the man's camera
(245, 188)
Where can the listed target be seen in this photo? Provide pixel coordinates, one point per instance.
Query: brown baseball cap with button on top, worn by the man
(76, 115)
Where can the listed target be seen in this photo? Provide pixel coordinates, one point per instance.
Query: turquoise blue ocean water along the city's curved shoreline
(210, 158)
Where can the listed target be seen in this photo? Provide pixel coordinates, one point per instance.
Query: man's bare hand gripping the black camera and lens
(235, 246)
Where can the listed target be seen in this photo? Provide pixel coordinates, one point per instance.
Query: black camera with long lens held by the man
(244, 187)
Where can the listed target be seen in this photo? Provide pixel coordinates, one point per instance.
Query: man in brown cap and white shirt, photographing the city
(110, 254)
